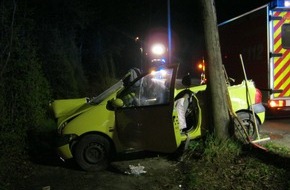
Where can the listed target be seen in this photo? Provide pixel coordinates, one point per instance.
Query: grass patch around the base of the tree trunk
(230, 165)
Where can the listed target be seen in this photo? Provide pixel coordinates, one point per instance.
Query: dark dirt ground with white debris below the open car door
(155, 172)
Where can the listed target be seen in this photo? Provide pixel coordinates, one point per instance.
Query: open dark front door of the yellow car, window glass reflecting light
(147, 124)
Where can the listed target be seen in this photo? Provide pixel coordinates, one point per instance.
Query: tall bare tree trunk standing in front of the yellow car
(216, 78)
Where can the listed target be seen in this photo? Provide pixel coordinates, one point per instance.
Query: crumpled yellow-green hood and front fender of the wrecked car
(86, 119)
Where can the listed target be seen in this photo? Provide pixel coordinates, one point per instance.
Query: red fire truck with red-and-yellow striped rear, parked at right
(260, 39)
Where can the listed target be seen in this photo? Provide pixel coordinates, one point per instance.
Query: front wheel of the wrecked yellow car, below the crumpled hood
(92, 152)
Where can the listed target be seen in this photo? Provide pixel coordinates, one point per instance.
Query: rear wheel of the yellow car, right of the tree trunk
(248, 122)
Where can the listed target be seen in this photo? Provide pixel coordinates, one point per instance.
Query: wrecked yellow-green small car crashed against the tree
(147, 112)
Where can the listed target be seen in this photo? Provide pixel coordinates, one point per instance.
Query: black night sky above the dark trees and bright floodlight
(148, 19)
